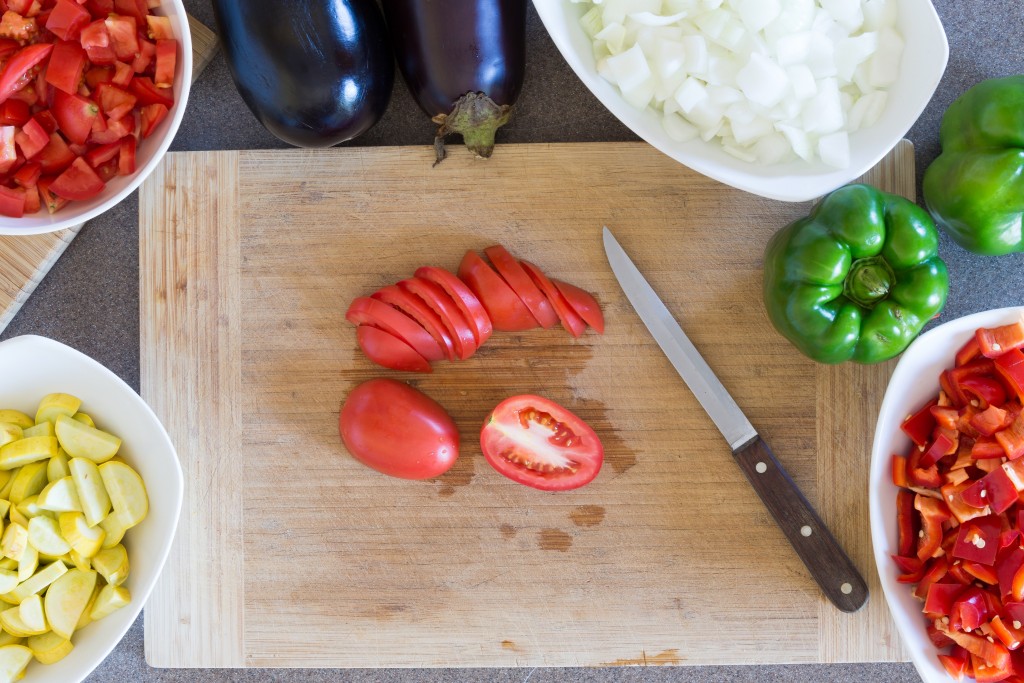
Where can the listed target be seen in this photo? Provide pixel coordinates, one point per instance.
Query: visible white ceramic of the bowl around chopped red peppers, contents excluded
(915, 381)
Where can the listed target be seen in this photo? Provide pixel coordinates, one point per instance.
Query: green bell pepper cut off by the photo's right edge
(975, 189)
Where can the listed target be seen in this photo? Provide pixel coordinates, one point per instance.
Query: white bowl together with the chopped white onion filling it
(784, 99)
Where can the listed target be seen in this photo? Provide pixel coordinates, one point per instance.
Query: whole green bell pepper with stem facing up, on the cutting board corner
(858, 279)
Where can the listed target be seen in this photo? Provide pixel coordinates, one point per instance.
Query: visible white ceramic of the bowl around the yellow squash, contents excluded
(33, 367)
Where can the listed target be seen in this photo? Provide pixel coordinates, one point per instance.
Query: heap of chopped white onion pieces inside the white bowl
(773, 80)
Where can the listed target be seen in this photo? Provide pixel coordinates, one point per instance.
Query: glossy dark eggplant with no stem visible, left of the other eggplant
(316, 73)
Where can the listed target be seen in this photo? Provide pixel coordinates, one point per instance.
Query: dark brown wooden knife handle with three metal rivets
(825, 559)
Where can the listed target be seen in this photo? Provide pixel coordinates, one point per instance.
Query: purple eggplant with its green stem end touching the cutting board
(464, 63)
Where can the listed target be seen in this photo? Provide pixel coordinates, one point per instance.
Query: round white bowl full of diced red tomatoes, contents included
(92, 95)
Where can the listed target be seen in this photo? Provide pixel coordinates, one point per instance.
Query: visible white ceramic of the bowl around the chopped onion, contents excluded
(923, 65)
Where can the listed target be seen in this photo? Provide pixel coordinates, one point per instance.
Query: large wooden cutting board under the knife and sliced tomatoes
(292, 554)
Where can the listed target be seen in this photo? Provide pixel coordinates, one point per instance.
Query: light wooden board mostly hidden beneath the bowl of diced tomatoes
(26, 261)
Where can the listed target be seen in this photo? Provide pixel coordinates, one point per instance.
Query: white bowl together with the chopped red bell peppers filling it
(948, 498)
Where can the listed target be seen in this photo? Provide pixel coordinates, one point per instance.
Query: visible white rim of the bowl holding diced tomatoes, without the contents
(150, 152)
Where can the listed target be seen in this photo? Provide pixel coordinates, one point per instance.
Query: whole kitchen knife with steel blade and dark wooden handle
(825, 559)
